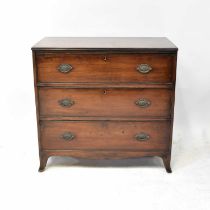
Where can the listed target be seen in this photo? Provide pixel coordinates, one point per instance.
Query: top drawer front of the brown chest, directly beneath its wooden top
(66, 67)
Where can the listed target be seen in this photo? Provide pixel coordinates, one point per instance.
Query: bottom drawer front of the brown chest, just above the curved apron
(105, 135)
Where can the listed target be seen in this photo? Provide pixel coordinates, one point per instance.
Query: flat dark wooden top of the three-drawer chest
(150, 44)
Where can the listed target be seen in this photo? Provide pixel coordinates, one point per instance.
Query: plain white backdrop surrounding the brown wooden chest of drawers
(24, 22)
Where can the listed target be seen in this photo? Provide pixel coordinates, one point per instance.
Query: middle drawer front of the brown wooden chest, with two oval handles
(105, 102)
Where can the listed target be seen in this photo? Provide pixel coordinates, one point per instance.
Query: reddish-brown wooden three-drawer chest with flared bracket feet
(105, 97)
